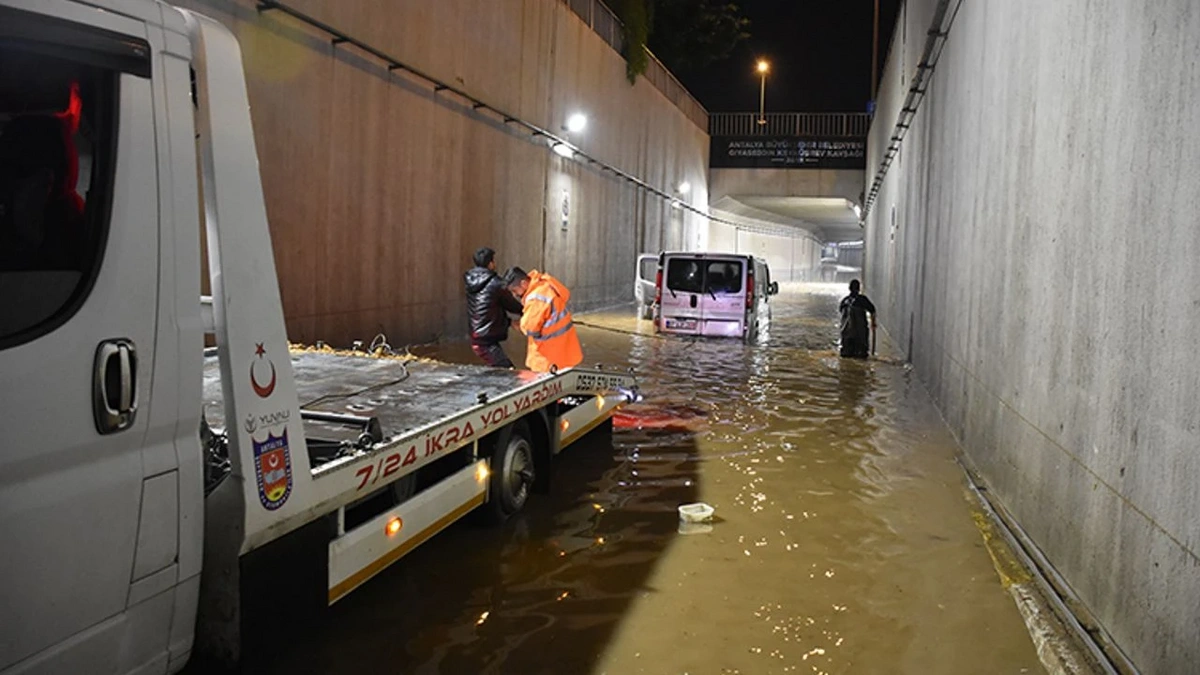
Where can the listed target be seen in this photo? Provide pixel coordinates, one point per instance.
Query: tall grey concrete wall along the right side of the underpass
(1041, 272)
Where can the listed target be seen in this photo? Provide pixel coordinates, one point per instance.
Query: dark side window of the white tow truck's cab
(57, 159)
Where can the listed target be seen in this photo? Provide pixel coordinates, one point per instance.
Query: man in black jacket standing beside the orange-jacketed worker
(489, 304)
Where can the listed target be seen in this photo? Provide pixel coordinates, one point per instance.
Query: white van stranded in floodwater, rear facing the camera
(717, 295)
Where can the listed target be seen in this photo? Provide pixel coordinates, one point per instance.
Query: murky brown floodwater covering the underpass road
(844, 539)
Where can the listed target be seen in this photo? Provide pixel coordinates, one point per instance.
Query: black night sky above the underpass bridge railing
(820, 53)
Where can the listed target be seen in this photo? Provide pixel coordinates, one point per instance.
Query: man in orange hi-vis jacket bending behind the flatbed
(545, 320)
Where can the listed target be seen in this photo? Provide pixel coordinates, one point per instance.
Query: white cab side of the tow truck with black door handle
(79, 297)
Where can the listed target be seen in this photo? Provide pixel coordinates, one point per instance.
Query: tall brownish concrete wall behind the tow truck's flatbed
(379, 189)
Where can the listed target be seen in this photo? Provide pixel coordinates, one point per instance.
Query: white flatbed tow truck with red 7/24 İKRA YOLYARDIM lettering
(158, 498)
